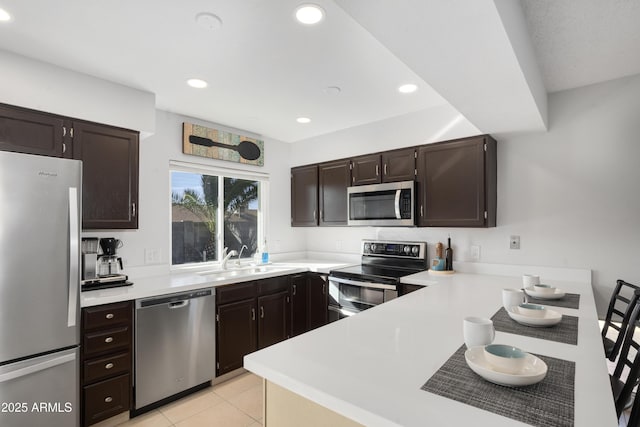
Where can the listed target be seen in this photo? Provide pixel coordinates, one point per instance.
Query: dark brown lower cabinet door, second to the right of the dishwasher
(274, 320)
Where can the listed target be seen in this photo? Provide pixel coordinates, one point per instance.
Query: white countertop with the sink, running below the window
(182, 281)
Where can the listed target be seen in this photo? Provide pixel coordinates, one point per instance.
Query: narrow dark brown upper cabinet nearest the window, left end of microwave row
(304, 196)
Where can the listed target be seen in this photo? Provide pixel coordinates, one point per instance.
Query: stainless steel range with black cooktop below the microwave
(376, 279)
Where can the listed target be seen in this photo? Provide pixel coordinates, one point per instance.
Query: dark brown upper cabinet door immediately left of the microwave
(334, 178)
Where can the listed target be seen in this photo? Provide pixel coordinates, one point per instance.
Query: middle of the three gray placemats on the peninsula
(565, 332)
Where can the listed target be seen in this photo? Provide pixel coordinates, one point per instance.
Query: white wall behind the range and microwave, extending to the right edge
(569, 193)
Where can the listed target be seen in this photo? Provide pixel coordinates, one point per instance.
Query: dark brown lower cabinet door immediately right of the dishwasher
(236, 334)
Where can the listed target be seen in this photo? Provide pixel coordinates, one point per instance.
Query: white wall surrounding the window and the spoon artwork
(155, 195)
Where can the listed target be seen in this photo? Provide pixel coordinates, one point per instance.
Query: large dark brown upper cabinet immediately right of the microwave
(457, 183)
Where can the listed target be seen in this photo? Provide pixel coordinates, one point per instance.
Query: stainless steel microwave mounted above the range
(390, 204)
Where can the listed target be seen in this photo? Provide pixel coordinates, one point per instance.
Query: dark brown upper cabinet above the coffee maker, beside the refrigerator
(110, 175)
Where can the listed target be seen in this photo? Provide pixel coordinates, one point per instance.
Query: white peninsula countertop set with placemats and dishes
(370, 367)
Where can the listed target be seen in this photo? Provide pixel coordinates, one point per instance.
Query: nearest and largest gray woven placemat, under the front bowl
(549, 403)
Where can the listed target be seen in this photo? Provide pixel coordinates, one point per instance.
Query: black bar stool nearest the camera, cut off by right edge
(622, 388)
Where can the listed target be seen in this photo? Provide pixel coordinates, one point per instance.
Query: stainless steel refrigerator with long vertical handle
(40, 201)
